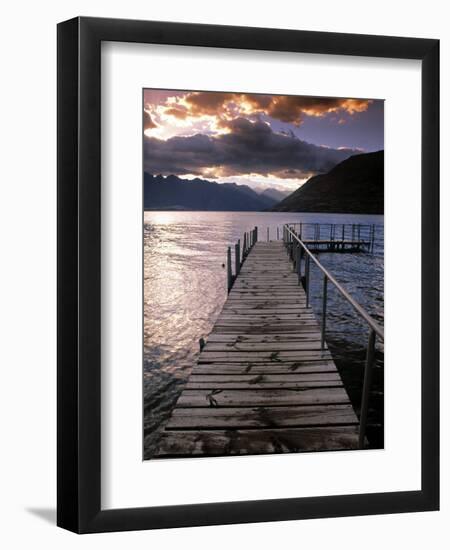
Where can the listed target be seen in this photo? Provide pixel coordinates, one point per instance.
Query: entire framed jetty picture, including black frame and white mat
(248, 256)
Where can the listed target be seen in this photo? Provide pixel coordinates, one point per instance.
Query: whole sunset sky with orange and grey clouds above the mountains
(260, 140)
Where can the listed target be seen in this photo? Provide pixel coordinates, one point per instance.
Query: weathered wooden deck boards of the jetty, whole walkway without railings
(262, 383)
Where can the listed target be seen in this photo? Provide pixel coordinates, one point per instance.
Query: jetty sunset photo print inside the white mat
(263, 241)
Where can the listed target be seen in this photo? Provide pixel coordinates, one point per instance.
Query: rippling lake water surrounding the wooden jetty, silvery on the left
(185, 289)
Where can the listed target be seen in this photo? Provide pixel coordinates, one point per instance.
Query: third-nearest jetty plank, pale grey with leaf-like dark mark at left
(236, 398)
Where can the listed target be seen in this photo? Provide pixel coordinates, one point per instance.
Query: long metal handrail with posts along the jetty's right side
(297, 249)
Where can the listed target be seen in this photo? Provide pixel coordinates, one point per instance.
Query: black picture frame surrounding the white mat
(79, 281)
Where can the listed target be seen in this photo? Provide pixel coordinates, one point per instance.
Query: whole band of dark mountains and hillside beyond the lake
(355, 185)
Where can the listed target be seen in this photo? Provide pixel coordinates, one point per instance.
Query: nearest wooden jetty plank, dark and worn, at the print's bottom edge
(242, 442)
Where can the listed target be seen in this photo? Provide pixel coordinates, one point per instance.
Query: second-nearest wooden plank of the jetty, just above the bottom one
(261, 417)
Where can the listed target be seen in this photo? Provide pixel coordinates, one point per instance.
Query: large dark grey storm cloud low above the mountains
(248, 148)
